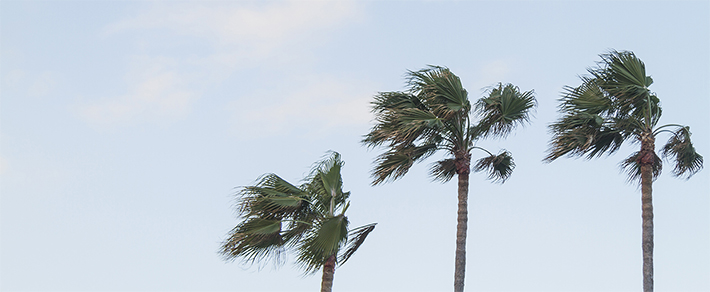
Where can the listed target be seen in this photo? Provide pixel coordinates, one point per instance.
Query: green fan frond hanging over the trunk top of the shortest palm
(324, 240)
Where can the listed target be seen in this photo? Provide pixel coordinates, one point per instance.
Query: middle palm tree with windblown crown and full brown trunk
(435, 114)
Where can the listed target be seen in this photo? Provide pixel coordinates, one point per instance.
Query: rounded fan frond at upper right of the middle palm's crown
(503, 109)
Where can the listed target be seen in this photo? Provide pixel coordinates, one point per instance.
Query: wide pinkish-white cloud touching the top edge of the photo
(255, 29)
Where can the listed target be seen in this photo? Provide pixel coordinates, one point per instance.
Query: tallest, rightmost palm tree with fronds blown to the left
(614, 105)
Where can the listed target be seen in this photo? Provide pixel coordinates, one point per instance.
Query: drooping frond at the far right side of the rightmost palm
(680, 148)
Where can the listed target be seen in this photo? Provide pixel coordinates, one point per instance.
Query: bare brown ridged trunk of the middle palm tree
(463, 168)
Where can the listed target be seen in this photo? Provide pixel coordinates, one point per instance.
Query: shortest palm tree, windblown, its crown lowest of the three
(308, 219)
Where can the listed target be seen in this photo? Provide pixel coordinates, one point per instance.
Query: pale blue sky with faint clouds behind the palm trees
(127, 127)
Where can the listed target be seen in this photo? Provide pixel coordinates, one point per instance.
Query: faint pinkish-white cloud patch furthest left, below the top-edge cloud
(155, 92)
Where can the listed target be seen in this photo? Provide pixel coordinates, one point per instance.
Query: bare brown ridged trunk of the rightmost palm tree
(647, 159)
